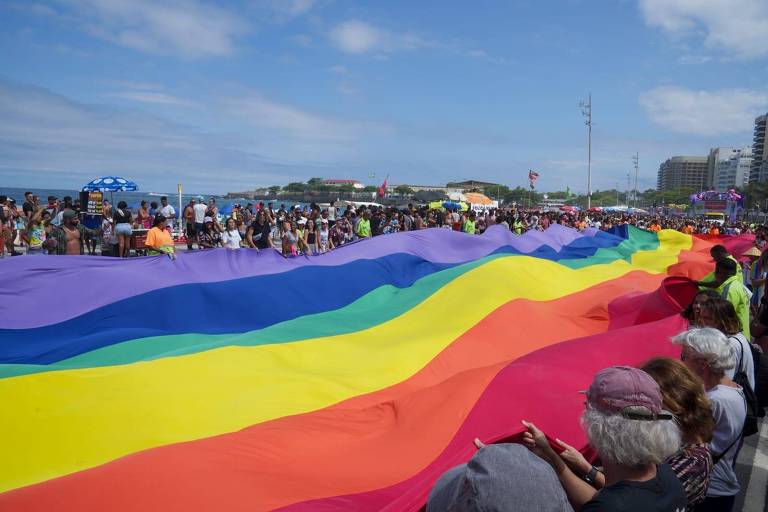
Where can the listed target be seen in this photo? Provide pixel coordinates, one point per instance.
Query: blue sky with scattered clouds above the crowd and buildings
(225, 96)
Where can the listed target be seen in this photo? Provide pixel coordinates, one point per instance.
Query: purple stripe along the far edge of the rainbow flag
(44, 290)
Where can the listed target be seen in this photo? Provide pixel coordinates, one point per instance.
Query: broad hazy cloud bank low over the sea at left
(49, 140)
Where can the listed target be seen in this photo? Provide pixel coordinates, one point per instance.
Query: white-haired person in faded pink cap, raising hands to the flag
(633, 436)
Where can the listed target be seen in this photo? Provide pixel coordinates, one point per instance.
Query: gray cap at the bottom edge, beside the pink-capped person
(499, 478)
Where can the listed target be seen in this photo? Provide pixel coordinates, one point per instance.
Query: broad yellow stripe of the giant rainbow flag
(56, 423)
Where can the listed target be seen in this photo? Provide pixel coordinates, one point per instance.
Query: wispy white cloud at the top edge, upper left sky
(188, 28)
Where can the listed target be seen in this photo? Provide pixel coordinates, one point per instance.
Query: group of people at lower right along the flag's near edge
(667, 434)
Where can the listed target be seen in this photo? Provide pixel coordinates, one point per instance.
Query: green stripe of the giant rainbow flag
(378, 306)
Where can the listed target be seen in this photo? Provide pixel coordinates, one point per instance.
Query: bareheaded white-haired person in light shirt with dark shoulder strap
(708, 354)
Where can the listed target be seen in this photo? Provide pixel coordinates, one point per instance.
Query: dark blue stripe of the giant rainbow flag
(239, 305)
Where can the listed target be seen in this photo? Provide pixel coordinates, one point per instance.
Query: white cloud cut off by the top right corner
(736, 26)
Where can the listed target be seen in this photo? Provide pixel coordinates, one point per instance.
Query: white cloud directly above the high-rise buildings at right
(704, 112)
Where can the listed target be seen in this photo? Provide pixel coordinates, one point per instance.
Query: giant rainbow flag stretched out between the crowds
(236, 380)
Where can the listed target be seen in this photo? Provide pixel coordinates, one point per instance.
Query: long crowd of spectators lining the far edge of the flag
(57, 227)
